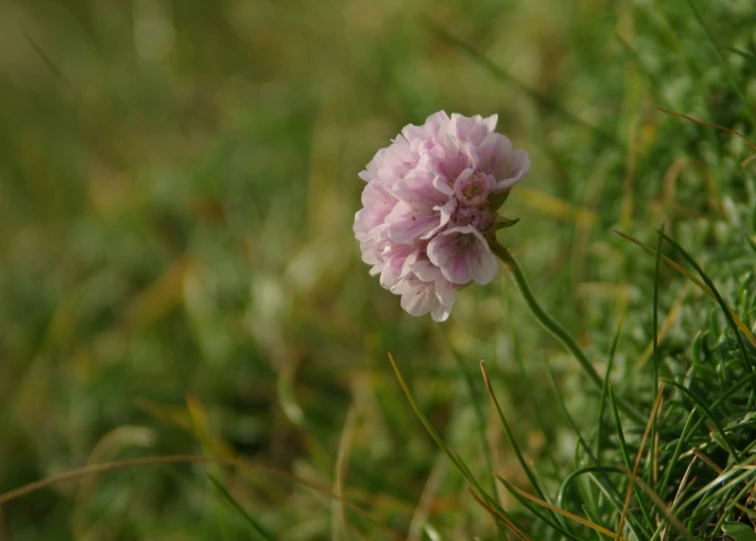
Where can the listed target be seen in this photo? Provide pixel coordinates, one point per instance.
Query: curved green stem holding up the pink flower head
(555, 328)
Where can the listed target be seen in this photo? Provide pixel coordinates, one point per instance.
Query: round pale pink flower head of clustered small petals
(429, 205)
